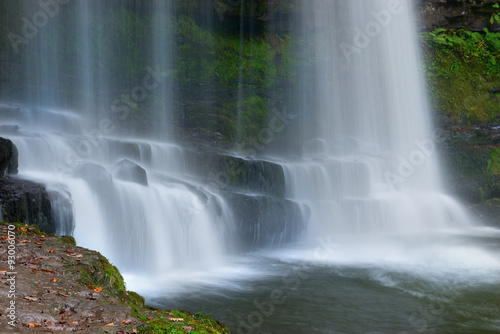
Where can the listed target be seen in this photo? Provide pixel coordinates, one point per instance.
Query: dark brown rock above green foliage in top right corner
(472, 15)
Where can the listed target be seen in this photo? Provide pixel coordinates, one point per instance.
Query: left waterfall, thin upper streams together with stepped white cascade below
(129, 198)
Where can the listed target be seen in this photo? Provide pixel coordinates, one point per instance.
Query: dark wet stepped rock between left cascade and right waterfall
(255, 192)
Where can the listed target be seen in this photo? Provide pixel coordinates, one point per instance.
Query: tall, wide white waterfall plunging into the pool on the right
(368, 164)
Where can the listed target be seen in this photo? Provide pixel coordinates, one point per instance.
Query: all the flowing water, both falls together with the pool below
(386, 250)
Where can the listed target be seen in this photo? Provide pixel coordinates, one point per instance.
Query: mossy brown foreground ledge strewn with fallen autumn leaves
(62, 287)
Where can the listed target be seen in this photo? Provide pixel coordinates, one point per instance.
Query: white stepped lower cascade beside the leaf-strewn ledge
(157, 228)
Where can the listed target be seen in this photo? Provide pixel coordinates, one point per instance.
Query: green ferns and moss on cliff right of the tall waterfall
(463, 68)
